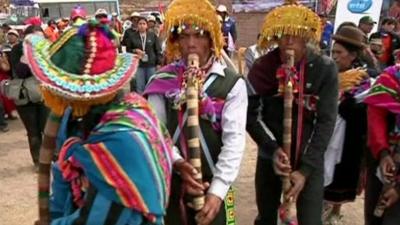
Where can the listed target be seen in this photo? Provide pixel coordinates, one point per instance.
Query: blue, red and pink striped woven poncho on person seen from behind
(127, 158)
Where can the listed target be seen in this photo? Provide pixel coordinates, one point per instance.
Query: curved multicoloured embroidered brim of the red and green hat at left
(71, 86)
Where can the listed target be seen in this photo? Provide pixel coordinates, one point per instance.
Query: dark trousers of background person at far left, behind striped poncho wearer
(34, 116)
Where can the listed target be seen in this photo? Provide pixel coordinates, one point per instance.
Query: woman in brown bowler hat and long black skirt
(354, 82)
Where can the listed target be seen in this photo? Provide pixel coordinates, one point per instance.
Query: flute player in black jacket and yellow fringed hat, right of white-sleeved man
(315, 87)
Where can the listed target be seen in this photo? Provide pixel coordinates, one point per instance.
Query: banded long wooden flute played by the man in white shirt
(193, 127)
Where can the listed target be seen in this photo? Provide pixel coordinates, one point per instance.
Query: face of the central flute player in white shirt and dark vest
(192, 41)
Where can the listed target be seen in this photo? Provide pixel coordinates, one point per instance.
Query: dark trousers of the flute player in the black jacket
(269, 190)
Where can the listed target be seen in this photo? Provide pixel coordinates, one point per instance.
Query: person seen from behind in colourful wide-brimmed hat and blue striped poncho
(114, 162)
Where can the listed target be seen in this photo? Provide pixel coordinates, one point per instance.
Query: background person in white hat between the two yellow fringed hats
(228, 29)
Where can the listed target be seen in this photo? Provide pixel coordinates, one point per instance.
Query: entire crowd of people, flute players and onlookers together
(322, 107)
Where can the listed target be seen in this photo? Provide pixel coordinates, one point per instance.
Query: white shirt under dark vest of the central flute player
(233, 124)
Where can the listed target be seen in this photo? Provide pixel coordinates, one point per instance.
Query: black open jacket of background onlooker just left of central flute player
(153, 47)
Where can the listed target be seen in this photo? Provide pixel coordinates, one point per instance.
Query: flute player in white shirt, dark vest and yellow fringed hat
(193, 27)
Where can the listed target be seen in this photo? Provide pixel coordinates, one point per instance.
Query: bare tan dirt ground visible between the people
(18, 184)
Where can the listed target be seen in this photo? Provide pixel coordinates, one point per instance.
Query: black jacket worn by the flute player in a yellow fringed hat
(265, 112)
